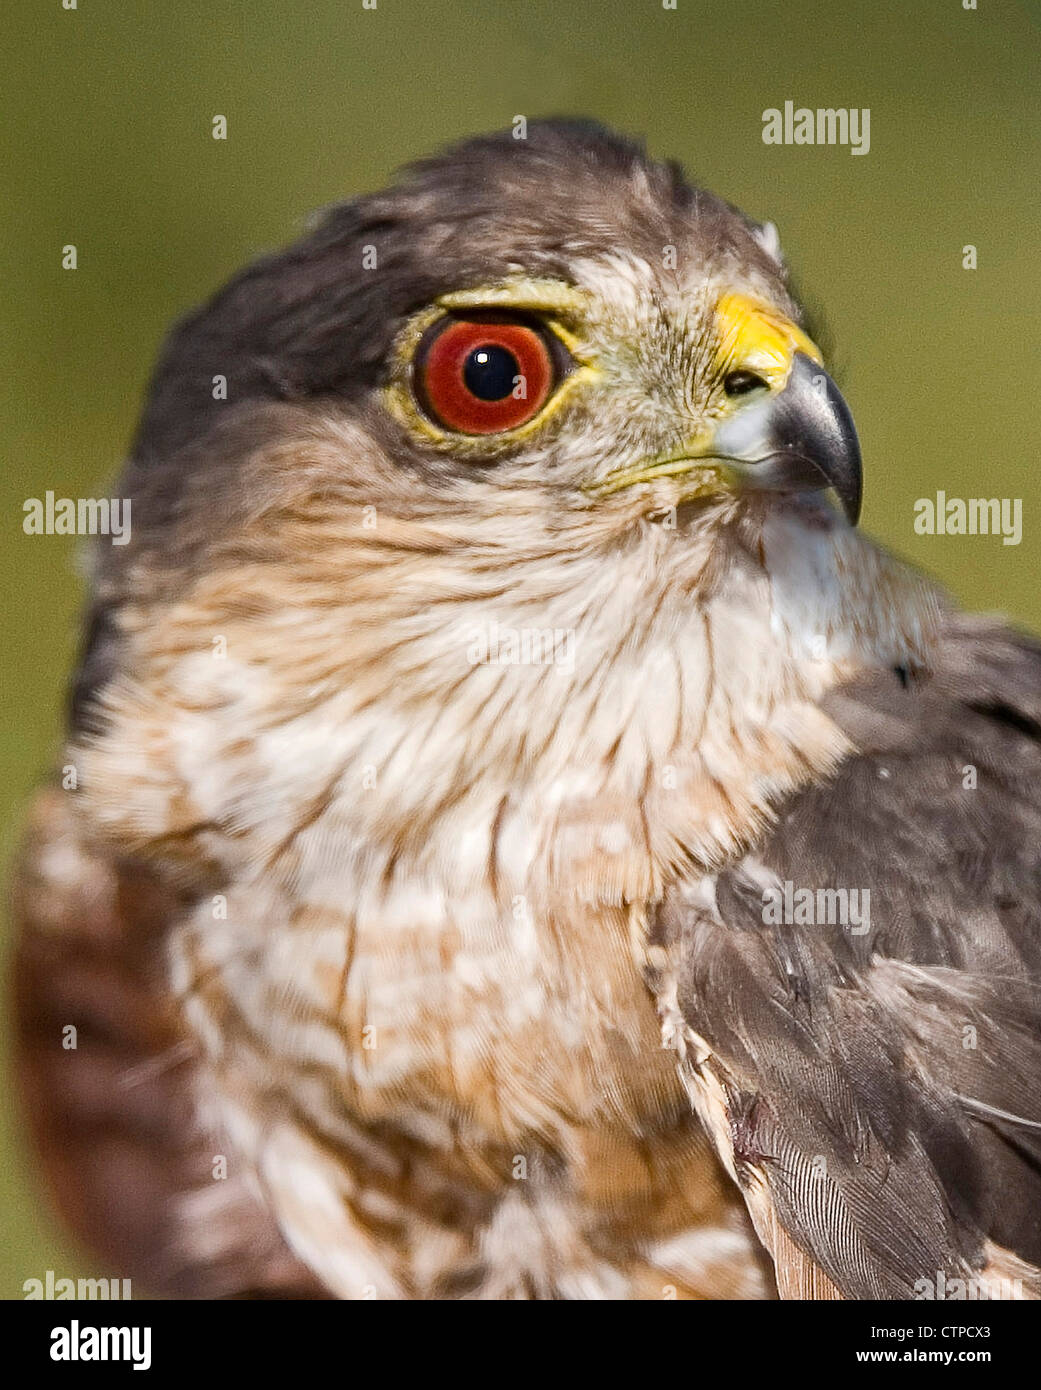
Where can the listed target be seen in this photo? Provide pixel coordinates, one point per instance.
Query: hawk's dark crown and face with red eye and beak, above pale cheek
(555, 315)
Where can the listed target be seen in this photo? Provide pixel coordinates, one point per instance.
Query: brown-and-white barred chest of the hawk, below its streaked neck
(415, 1110)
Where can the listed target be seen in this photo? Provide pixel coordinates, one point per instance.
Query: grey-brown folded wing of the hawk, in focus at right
(878, 1093)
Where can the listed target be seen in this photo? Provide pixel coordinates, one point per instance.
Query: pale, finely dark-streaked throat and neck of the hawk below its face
(580, 722)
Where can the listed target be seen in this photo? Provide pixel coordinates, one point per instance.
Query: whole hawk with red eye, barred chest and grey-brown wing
(493, 678)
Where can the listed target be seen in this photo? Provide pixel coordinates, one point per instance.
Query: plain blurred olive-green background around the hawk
(106, 144)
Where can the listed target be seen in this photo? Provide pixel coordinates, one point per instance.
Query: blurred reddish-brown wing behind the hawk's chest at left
(112, 1117)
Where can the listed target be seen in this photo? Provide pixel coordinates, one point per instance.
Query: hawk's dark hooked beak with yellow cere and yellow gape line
(787, 427)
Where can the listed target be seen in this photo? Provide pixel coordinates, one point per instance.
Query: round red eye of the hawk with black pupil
(480, 376)
